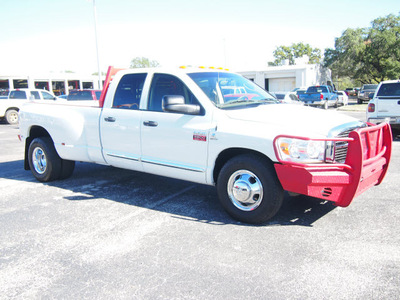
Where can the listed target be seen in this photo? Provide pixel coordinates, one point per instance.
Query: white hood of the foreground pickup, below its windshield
(292, 119)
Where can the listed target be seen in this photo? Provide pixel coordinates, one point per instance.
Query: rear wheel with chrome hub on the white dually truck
(44, 162)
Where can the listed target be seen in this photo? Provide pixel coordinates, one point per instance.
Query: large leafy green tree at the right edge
(367, 55)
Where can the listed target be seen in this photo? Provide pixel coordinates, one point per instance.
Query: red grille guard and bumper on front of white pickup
(367, 160)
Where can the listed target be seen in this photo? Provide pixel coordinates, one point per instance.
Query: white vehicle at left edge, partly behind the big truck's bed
(10, 106)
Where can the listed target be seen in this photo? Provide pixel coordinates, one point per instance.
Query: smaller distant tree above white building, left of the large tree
(294, 51)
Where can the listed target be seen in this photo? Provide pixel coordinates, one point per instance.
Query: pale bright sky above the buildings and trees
(59, 35)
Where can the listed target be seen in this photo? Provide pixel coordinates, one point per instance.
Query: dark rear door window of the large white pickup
(129, 91)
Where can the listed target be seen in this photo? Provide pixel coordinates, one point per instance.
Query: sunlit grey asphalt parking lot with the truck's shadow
(110, 233)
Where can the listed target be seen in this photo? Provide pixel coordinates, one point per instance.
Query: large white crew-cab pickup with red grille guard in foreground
(180, 123)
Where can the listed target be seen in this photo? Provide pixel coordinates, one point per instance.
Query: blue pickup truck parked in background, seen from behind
(320, 96)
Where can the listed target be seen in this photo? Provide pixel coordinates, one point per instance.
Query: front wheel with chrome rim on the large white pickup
(249, 189)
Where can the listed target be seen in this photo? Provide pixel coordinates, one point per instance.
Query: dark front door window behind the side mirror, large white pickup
(163, 85)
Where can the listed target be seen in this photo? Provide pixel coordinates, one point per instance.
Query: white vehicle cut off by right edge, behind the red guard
(385, 105)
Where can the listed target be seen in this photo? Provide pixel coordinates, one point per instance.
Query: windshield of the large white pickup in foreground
(228, 90)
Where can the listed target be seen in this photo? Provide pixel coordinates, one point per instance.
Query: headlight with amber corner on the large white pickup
(302, 151)
